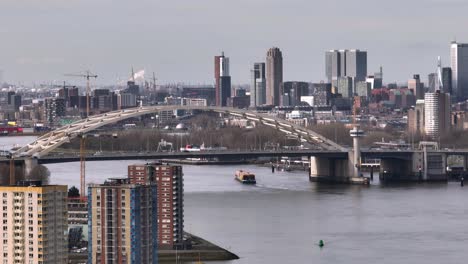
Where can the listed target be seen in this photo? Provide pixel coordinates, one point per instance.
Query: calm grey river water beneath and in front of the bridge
(282, 218)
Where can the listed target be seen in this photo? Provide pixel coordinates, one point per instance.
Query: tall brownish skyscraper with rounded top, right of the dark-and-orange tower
(274, 75)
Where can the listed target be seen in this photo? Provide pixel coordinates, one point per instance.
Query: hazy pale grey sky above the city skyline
(40, 40)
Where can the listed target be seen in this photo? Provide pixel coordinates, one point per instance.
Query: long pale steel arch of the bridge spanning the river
(48, 142)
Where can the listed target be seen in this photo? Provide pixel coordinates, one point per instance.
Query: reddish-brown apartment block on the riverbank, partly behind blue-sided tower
(169, 182)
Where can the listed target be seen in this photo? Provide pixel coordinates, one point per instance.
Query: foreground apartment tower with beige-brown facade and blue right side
(122, 222)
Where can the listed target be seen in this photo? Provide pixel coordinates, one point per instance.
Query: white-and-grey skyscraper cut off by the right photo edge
(459, 65)
